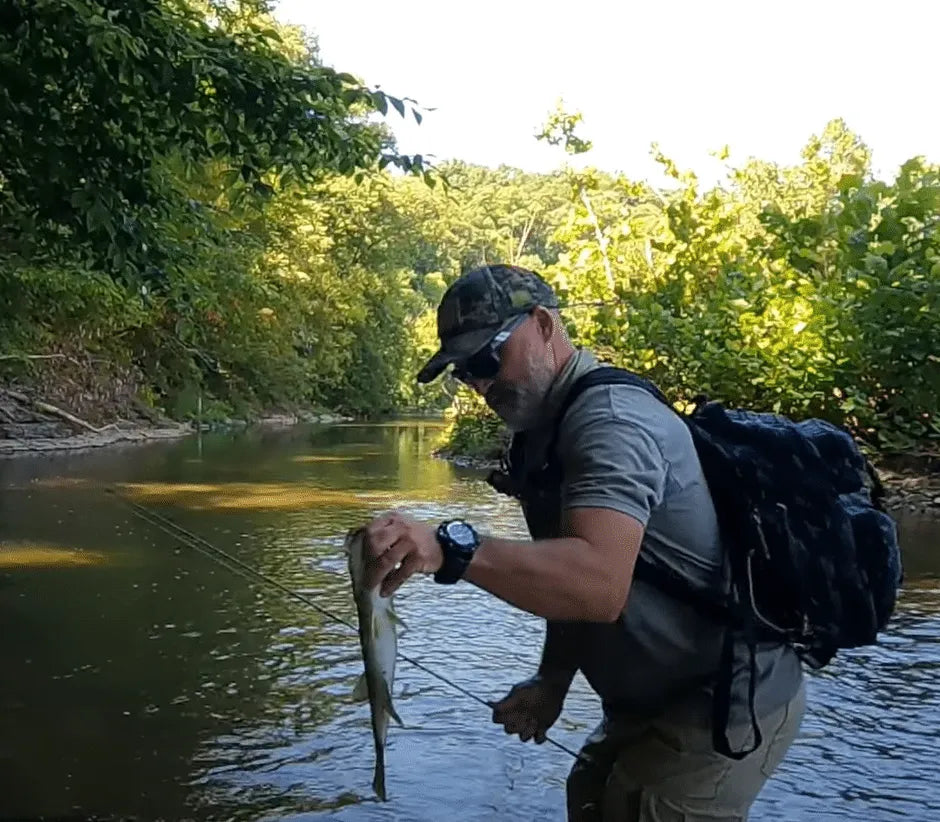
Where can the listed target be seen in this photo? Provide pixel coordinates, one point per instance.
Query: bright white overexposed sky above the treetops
(760, 76)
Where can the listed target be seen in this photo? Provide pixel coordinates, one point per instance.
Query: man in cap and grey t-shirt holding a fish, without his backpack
(629, 478)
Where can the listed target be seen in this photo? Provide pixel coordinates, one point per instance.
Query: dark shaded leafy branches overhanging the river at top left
(98, 94)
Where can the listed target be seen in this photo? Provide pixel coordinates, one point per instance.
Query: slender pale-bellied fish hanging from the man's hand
(378, 638)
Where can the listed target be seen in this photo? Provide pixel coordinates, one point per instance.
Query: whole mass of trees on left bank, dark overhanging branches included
(179, 175)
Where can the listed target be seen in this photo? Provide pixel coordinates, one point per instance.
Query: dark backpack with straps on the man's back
(814, 557)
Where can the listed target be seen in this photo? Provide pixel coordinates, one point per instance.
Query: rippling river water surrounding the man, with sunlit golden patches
(141, 679)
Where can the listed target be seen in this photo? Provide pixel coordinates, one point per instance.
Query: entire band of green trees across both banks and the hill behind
(187, 195)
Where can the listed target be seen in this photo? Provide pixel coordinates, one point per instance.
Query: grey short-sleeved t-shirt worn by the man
(622, 449)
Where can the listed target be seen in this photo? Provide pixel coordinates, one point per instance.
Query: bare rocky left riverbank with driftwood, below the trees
(30, 424)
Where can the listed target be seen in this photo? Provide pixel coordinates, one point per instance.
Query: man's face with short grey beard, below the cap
(526, 372)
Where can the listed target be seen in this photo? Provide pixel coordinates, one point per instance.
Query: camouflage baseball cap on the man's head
(478, 305)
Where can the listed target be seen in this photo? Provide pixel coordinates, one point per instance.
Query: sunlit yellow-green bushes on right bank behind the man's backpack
(810, 291)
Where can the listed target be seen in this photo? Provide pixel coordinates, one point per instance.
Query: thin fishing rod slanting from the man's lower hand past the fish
(233, 563)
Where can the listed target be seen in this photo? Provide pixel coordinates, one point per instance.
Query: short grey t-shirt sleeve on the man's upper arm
(611, 462)
